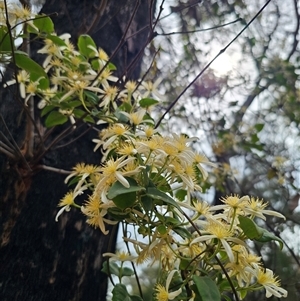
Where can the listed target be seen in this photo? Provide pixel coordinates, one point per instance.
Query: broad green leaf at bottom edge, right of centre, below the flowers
(206, 288)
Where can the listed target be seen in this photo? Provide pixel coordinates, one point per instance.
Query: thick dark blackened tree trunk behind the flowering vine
(40, 259)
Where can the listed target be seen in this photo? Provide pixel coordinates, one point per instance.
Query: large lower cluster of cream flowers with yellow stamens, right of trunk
(150, 181)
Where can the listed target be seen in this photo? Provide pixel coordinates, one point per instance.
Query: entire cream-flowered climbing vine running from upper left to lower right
(146, 179)
